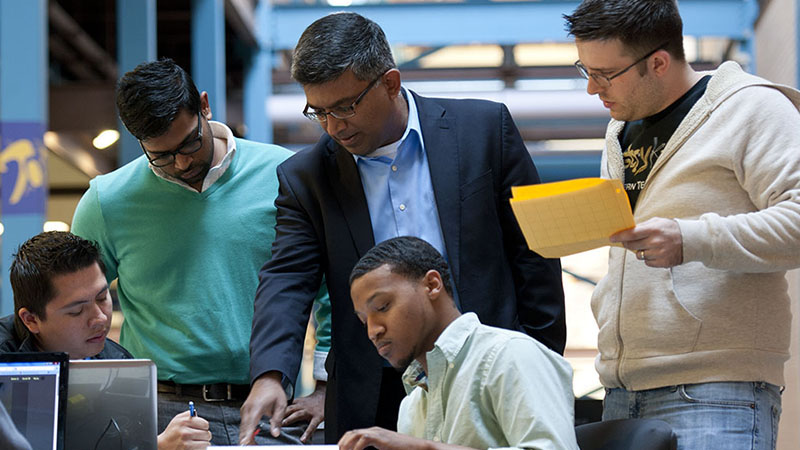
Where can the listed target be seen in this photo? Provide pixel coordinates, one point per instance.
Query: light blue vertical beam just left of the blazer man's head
(258, 79)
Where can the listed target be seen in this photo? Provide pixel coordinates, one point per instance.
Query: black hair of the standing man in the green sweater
(150, 96)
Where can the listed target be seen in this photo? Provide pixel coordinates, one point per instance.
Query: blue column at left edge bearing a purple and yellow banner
(23, 120)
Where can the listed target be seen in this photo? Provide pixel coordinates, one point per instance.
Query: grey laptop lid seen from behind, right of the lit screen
(112, 404)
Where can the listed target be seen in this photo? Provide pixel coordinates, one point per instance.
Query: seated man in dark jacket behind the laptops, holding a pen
(62, 304)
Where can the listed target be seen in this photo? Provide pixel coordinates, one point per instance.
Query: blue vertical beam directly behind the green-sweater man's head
(136, 43)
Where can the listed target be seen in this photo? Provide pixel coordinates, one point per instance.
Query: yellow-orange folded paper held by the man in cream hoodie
(573, 216)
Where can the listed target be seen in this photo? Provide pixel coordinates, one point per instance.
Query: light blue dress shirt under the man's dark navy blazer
(397, 184)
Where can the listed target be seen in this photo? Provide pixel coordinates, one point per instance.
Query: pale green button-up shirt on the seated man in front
(489, 388)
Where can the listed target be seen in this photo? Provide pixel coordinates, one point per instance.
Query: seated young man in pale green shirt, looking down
(468, 384)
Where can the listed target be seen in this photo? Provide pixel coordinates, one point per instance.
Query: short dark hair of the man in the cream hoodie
(641, 25)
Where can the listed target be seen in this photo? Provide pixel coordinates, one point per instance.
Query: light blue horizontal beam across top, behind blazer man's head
(441, 24)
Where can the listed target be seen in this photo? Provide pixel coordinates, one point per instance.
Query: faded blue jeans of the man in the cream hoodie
(728, 416)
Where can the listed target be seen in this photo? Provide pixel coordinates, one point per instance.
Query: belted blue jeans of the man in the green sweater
(223, 421)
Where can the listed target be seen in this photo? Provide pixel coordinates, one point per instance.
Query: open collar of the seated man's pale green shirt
(449, 343)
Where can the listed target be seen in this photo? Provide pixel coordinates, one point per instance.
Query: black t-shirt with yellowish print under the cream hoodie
(643, 140)
